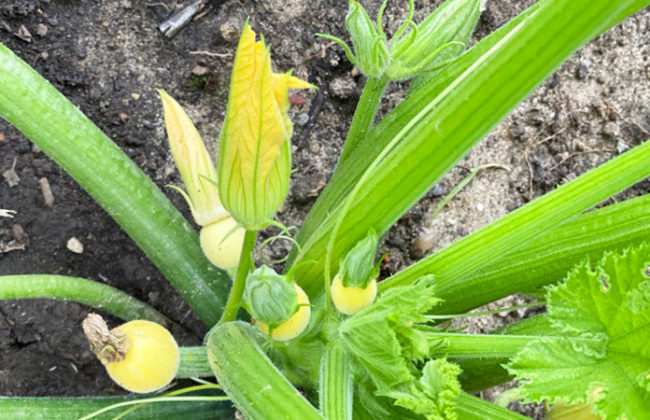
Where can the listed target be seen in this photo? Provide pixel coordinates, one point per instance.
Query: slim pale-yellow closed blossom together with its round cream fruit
(221, 238)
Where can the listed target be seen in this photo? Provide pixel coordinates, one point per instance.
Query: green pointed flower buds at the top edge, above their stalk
(413, 49)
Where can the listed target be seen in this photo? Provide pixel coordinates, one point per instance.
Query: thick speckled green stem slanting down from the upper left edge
(63, 132)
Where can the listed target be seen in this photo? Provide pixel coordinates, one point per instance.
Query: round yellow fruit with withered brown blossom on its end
(140, 356)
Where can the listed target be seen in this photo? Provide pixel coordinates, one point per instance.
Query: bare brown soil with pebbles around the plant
(108, 57)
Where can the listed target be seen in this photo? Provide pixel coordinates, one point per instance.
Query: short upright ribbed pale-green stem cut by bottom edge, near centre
(336, 394)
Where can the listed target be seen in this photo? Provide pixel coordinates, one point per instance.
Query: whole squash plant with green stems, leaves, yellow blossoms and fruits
(324, 339)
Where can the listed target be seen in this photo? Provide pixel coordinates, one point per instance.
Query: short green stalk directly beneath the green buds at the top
(364, 116)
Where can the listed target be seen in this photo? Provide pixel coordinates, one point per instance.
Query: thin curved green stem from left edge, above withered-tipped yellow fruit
(88, 292)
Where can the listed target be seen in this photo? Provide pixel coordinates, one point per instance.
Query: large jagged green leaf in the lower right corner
(601, 352)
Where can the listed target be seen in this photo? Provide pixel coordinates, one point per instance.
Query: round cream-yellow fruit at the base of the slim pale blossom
(224, 253)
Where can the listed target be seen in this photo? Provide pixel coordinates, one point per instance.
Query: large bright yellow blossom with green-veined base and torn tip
(254, 161)
